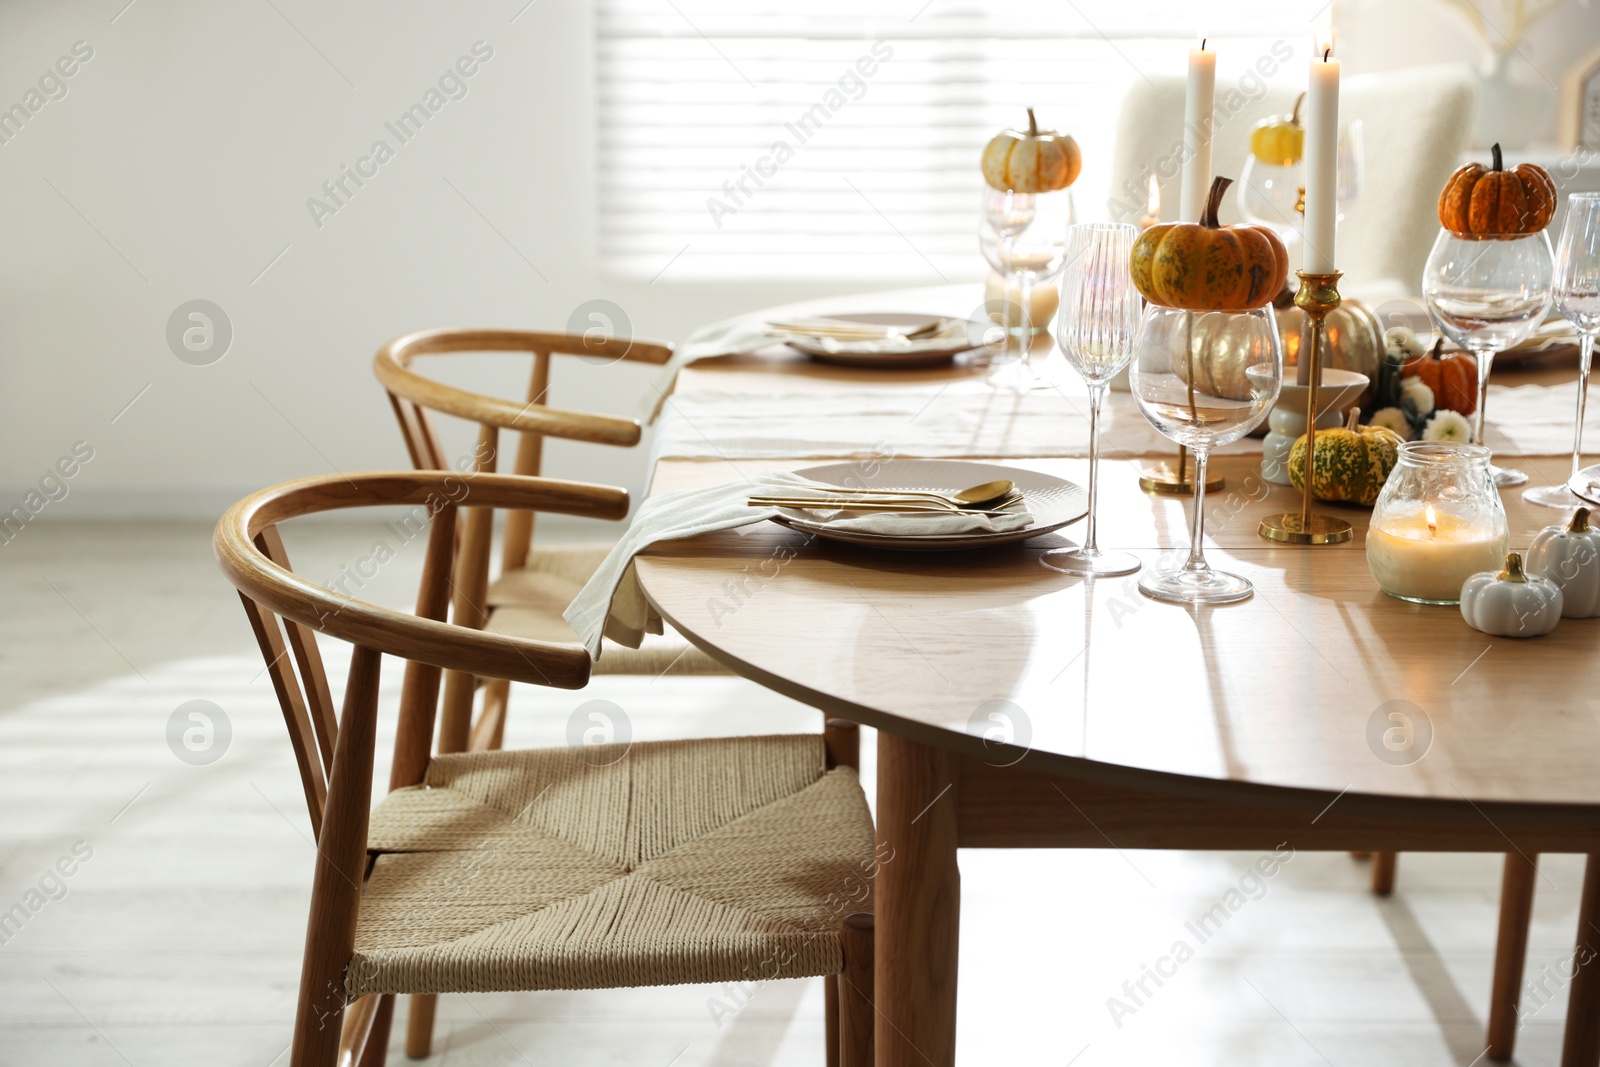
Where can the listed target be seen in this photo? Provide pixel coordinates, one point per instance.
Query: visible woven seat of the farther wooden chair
(529, 602)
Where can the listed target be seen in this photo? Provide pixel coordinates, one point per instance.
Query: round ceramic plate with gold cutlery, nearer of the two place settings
(1055, 503)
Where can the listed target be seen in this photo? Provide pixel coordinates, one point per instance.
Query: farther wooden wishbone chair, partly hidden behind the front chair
(535, 585)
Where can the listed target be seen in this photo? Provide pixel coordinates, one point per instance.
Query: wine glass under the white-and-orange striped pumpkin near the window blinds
(1025, 238)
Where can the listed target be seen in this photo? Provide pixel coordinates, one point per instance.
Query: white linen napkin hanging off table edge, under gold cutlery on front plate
(614, 605)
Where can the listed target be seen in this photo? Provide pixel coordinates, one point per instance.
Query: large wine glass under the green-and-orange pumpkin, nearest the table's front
(1204, 380)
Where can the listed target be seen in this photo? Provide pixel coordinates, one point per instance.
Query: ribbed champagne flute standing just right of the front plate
(1095, 329)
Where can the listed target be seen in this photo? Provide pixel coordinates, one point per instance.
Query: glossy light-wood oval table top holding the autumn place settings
(1318, 682)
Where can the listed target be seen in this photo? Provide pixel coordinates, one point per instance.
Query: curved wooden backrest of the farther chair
(415, 398)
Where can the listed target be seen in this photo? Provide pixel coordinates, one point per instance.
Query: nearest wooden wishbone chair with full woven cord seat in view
(585, 868)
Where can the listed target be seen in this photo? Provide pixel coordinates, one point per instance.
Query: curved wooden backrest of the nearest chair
(252, 554)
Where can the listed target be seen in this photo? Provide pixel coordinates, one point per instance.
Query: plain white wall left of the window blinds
(193, 140)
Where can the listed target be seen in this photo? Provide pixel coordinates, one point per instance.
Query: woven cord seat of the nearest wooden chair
(682, 861)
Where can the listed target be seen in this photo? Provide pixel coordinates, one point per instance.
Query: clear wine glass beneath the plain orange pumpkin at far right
(1489, 294)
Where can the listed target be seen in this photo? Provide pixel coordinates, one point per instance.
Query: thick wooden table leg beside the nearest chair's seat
(918, 903)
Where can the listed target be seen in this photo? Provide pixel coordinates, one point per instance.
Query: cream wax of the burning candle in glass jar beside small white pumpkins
(1426, 554)
